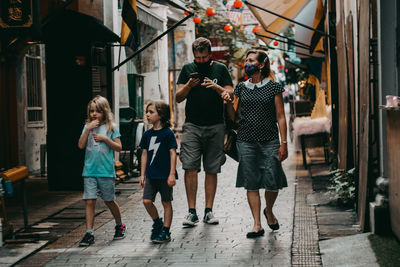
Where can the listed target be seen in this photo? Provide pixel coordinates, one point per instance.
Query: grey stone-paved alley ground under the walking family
(203, 245)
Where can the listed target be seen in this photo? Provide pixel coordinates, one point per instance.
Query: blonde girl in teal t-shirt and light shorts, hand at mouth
(100, 137)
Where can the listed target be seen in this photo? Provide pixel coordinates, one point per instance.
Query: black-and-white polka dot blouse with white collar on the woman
(257, 110)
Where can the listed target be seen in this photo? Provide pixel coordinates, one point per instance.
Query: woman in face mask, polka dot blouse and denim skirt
(262, 121)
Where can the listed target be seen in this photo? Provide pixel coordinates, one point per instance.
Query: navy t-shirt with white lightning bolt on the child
(158, 143)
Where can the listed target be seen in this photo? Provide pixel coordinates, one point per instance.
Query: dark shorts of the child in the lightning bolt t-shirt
(153, 186)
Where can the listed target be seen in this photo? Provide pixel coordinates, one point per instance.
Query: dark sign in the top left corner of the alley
(16, 13)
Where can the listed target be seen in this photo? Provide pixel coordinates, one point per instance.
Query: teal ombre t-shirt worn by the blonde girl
(99, 157)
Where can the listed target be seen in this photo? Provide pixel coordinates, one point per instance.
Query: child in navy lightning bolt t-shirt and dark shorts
(158, 168)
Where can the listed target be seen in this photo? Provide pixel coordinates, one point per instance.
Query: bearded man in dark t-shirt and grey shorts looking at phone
(201, 83)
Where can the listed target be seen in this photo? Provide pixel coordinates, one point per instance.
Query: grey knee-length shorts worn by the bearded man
(206, 141)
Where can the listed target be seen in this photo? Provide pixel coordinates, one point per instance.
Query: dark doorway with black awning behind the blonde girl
(70, 40)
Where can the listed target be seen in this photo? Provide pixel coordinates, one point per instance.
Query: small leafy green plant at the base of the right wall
(344, 186)
